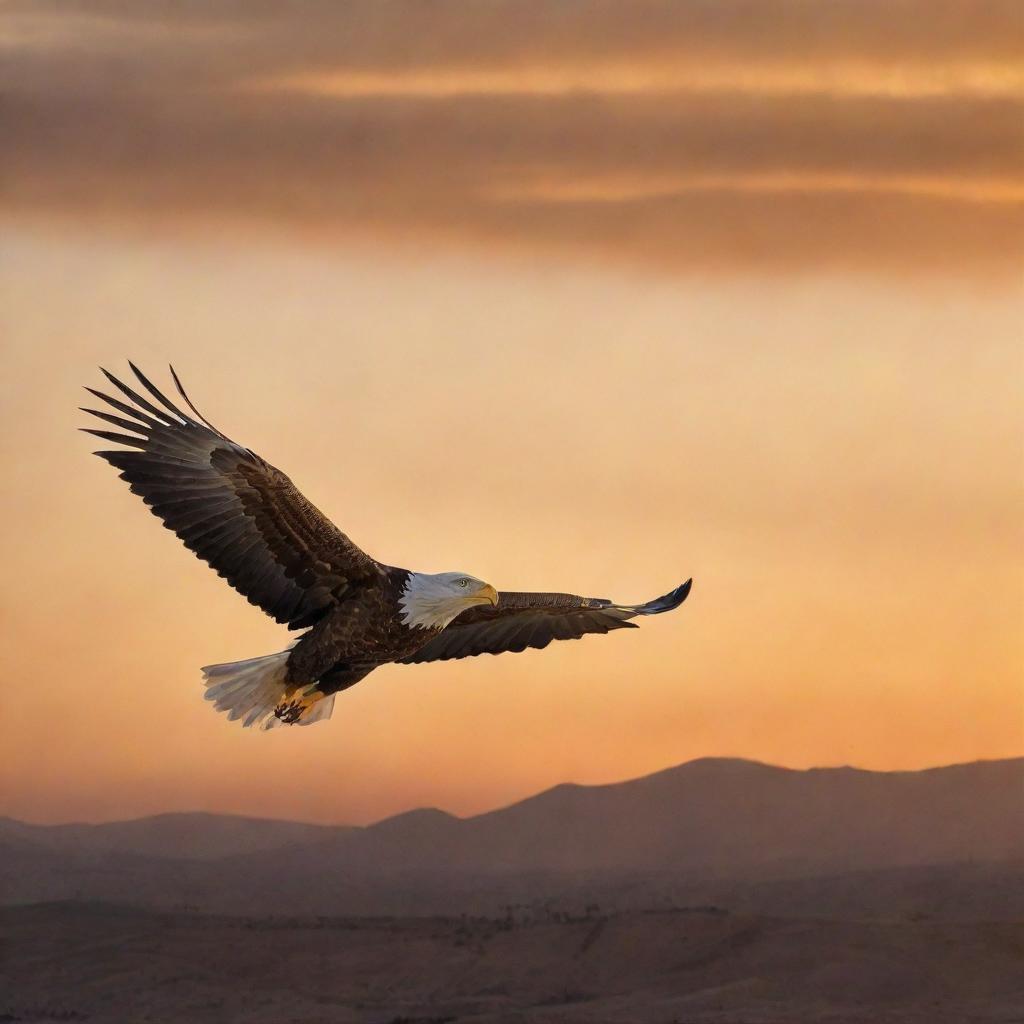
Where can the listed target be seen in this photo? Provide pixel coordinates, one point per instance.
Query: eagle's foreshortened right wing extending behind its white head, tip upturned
(522, 621)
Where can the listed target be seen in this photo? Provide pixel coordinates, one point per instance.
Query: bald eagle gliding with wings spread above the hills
(258, 531)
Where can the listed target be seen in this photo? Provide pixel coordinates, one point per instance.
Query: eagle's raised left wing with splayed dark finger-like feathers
(234, 510)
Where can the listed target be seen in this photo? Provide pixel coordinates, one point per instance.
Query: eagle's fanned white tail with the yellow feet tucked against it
(257, 693)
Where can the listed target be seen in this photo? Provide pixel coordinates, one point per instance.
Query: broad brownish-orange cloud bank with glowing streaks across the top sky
(692, 136)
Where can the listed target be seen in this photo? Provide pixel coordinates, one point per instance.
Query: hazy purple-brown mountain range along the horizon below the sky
(711, 822)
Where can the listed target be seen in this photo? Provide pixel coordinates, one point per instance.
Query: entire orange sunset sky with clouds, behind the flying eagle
(571, 296)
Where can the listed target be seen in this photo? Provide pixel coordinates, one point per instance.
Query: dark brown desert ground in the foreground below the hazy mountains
(109, 965)
